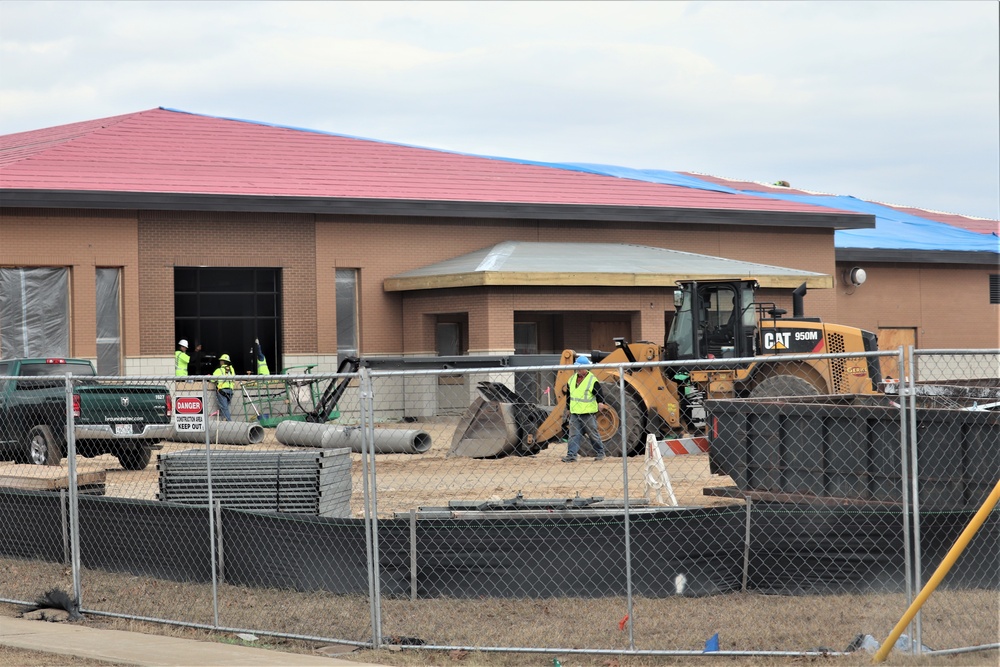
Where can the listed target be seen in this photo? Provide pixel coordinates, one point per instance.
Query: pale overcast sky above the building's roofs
(889, 101)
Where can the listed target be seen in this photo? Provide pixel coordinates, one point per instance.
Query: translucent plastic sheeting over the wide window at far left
(34, 312)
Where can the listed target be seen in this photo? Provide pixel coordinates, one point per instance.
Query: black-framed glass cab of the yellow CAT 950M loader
(714, 319)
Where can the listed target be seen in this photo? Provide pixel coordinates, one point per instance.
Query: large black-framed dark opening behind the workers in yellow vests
(225, 310)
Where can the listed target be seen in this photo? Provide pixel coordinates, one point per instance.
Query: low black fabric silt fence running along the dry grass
(795, 549)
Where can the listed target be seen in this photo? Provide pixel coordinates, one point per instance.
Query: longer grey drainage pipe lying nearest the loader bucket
(386, 440)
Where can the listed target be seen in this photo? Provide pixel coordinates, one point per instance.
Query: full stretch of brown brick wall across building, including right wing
(949, 305)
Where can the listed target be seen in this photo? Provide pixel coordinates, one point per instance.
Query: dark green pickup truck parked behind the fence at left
(125, 420)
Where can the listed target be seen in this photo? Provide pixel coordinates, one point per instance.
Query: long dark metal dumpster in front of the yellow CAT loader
(848, 448)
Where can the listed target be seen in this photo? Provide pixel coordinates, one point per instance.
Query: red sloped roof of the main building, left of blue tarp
(165, 151)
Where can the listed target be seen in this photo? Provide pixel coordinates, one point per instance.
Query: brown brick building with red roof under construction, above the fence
(160, 225)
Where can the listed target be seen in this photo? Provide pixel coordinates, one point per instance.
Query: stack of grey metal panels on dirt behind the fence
(315, 482)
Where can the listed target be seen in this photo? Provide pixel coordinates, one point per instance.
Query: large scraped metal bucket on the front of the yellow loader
(497, 424)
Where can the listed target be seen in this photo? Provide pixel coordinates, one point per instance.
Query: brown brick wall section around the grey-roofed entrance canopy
(385, 246)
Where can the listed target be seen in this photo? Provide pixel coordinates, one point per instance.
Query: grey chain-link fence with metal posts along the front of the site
(451, 508)
